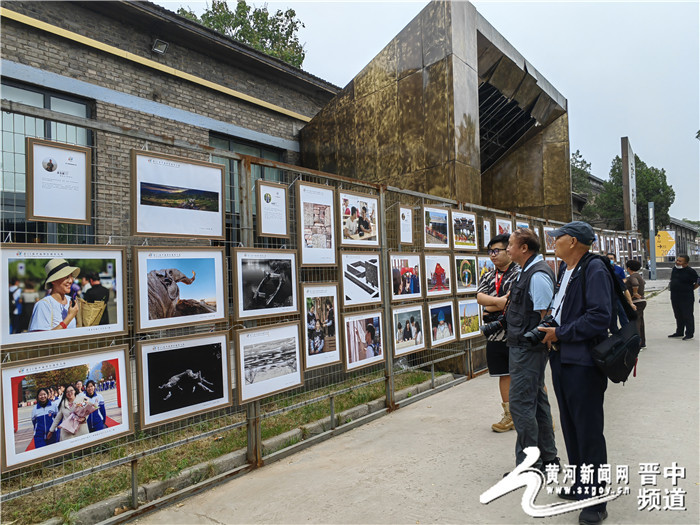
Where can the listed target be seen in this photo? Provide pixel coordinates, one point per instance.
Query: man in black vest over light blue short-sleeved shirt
(530, 298)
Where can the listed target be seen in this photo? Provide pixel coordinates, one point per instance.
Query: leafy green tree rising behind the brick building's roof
(275, 35)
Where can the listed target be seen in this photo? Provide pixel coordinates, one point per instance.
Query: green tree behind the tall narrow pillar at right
(607, 210)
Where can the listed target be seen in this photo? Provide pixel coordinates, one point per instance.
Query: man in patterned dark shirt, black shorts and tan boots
(492, 294)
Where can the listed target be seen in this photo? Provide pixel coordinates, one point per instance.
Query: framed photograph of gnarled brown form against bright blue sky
(179, 286)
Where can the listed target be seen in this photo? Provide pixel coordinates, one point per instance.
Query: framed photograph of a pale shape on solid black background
(183, 376)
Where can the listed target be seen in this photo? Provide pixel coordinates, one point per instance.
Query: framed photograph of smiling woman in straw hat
(61, 292)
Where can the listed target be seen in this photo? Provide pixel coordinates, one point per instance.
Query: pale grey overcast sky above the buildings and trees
(626, 68)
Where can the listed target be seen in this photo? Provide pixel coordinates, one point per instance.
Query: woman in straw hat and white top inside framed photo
(55, 311)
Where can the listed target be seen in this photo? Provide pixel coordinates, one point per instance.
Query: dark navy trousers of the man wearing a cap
(580, 392)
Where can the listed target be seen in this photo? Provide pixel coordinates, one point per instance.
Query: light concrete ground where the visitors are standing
(429, 462)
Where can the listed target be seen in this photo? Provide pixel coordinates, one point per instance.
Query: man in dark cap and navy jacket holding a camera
(578, 384)
